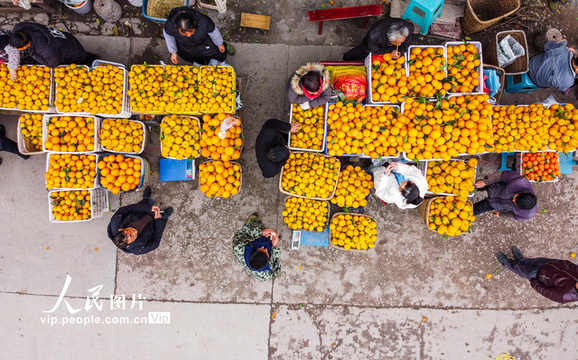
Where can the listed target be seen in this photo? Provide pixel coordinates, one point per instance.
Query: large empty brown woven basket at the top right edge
(495, 11)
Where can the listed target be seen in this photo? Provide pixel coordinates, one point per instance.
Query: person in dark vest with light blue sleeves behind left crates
(194, 37)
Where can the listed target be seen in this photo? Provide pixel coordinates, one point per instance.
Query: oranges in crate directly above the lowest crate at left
(68, 171)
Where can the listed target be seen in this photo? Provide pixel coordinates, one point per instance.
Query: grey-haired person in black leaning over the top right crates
(384, 36)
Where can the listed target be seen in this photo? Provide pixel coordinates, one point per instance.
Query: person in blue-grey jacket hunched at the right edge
(555, 67)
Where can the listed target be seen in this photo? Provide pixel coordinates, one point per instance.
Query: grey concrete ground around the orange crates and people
(415, 296)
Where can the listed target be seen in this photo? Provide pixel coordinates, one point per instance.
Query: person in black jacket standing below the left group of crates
(138, 228)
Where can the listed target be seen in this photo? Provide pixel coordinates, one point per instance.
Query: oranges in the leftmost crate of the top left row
(31, 91)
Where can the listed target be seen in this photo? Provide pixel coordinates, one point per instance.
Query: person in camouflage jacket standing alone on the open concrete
(257, 249)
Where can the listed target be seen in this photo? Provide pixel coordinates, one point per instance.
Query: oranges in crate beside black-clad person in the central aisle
(312, 121)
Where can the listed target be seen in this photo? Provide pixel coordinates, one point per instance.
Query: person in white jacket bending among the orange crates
(400, 184)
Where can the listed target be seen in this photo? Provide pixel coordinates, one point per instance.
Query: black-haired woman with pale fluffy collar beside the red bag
(309, 86)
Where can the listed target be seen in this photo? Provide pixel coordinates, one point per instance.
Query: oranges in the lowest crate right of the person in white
(451, 215)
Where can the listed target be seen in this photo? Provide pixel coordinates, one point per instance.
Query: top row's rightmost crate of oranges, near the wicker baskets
(465, 68)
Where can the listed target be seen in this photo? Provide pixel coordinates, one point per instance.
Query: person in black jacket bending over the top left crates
(48, 46)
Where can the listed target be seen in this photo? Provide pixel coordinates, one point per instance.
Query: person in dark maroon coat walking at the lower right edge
(552, 278)
